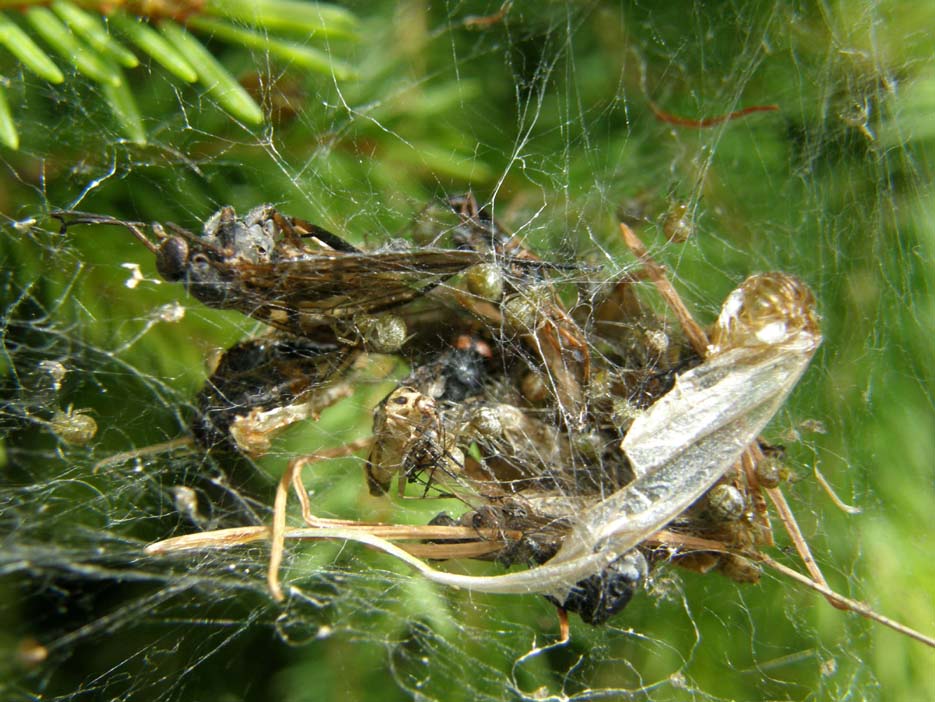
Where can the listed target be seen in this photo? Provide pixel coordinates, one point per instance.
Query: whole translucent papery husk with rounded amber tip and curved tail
(690, 437)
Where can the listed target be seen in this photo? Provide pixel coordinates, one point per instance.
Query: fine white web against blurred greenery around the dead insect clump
(563, 121)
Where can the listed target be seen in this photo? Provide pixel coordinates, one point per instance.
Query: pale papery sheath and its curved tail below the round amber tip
(664, 489)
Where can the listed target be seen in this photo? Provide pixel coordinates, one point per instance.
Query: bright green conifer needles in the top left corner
(82, 40)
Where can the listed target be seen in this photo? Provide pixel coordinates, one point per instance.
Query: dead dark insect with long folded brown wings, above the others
(290, 274)
